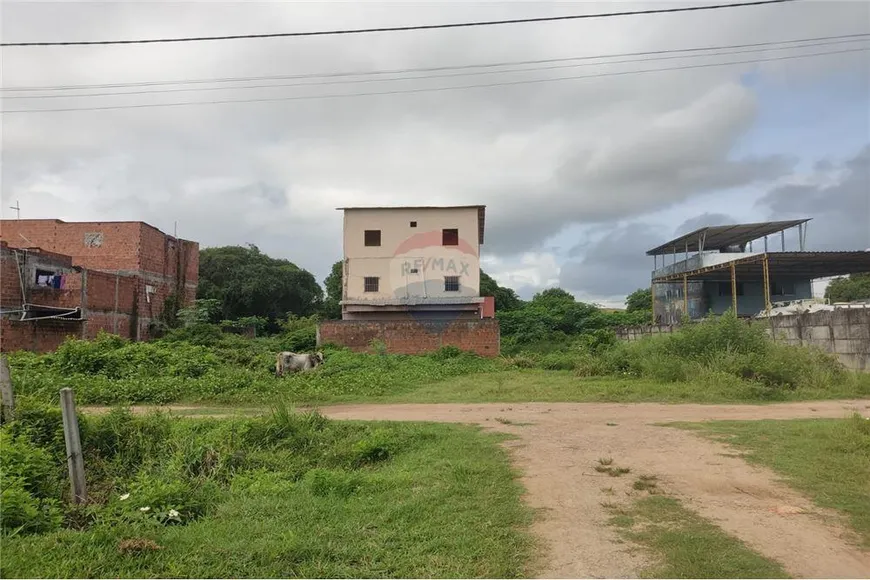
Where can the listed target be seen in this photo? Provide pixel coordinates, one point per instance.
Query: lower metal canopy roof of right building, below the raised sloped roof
(791, 264)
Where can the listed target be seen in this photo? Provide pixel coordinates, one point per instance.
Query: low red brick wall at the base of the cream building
(480, 336)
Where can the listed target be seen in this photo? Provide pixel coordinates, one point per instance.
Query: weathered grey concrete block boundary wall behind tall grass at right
(843, 332)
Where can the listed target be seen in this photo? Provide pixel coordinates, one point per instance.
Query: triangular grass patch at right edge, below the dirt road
(828, 459)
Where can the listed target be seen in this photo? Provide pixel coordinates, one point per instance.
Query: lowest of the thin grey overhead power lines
(431, 89)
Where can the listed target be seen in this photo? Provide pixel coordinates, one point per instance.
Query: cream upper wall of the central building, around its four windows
(405, 249)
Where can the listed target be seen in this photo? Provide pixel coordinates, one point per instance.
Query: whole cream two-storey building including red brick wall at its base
(411, 281)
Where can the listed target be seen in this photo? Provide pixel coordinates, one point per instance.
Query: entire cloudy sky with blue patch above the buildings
(580, 176)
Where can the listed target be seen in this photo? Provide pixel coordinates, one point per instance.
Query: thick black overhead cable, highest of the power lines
(401, 28)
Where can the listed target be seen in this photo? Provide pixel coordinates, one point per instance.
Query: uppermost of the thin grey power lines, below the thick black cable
(843, 37)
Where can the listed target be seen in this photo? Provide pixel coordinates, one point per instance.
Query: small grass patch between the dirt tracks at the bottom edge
(685, 545)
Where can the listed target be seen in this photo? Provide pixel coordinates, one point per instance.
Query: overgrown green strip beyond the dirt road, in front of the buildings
(720, 361)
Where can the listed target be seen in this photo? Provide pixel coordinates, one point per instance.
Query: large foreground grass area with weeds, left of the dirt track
(278, 497)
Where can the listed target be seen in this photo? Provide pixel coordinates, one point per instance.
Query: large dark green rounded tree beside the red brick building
(247, 282)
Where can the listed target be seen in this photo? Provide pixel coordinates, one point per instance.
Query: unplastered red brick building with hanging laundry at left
(62, 279)
